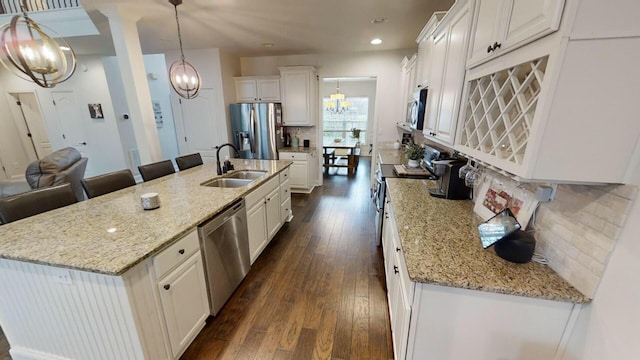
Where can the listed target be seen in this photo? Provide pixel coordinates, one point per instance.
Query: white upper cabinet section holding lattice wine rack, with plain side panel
(535, 114)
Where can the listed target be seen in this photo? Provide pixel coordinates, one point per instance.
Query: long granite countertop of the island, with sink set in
(110, 234)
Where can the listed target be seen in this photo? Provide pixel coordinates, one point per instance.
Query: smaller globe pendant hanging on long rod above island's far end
(184, 78)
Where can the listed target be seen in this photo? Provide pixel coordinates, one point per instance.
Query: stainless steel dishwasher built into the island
(225, 248)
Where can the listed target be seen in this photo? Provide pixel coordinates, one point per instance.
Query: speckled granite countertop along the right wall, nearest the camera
(441, 246)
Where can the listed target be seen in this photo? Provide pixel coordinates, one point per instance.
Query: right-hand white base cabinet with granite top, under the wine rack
(445, 290)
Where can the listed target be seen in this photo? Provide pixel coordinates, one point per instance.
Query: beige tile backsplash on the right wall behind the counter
(577, 231)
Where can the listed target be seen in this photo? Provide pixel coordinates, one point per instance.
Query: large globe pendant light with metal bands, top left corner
(32, 54)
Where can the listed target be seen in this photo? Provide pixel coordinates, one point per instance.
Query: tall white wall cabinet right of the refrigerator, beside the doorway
(299, 95)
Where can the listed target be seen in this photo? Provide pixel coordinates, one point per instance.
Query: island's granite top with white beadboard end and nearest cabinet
(91, 280)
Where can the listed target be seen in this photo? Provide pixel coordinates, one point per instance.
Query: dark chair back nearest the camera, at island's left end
(36, 201)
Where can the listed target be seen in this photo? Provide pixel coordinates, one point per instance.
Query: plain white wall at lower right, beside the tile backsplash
(608, 327)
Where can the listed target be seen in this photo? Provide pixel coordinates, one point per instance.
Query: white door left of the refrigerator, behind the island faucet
(198, 126)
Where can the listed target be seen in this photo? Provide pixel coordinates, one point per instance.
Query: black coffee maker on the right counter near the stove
(451, 186)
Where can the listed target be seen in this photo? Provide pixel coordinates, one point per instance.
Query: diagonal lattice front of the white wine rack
(501, 108)
